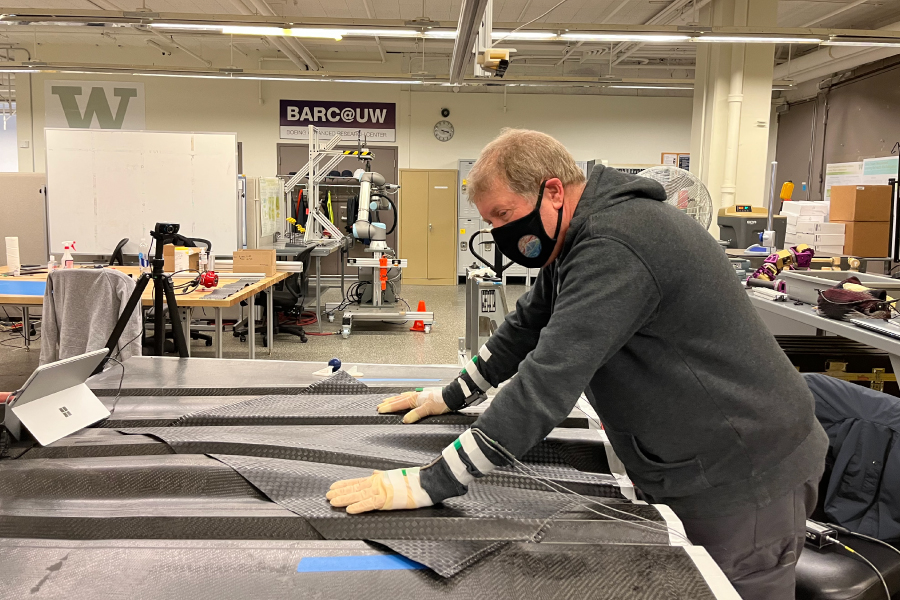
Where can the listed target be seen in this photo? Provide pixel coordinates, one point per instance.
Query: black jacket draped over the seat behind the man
(863, 427)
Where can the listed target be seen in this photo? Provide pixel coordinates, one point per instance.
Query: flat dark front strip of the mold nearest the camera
(162, 570)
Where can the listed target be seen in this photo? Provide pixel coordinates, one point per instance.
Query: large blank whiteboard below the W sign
(104, 185)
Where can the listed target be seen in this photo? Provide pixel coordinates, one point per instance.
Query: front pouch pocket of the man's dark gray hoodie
(659, 479)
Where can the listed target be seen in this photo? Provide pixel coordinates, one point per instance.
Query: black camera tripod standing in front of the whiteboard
(163, 233)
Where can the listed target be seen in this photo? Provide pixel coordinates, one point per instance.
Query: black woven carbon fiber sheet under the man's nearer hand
(488, 513)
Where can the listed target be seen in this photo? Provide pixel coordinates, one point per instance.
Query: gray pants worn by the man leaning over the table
(758, 549)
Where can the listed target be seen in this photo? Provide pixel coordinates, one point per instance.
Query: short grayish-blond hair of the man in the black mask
(520, 159)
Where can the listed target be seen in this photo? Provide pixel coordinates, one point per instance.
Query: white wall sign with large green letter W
(94, 104)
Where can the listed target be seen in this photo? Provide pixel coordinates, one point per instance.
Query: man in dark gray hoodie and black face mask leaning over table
(636, 306)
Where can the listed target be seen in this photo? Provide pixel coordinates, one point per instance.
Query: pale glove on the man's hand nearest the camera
(397, 489)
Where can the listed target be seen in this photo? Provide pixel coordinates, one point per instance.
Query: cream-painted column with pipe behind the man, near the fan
(732, 106)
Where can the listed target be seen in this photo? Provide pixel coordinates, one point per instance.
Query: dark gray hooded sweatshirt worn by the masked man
(643, 313)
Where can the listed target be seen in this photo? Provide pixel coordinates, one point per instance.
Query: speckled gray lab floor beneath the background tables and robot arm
(368, 343)
